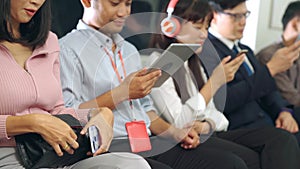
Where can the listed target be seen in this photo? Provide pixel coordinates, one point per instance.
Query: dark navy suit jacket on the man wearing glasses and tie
(250, 101)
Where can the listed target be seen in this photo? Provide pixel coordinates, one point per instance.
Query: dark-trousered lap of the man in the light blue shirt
(211, 154)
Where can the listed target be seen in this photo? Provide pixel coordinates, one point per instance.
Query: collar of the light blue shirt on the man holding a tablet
(101, 38)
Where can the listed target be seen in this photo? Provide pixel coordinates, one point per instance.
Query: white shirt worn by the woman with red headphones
(180, 114)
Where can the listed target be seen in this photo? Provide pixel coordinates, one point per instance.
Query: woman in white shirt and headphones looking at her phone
(186, 99)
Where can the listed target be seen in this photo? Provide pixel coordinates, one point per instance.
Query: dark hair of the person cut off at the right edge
(291, 11)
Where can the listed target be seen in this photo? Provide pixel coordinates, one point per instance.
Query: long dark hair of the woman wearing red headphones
(193, 11)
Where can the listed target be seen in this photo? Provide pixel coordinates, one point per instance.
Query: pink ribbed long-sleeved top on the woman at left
(37, 90)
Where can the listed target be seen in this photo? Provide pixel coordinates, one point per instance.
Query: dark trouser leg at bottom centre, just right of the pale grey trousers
(200, 157)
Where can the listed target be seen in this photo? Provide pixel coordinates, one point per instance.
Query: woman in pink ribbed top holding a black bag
(31, 92)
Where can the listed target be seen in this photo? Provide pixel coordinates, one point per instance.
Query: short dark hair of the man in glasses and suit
(220, 5)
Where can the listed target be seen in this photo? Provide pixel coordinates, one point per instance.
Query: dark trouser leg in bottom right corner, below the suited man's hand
(278, 148)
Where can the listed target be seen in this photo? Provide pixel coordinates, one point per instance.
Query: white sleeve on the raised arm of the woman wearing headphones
(173, 110)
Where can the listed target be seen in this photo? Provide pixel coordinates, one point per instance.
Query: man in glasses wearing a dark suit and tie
(252, 98)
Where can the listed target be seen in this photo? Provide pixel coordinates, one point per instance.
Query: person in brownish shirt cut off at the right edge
(288, 81)
